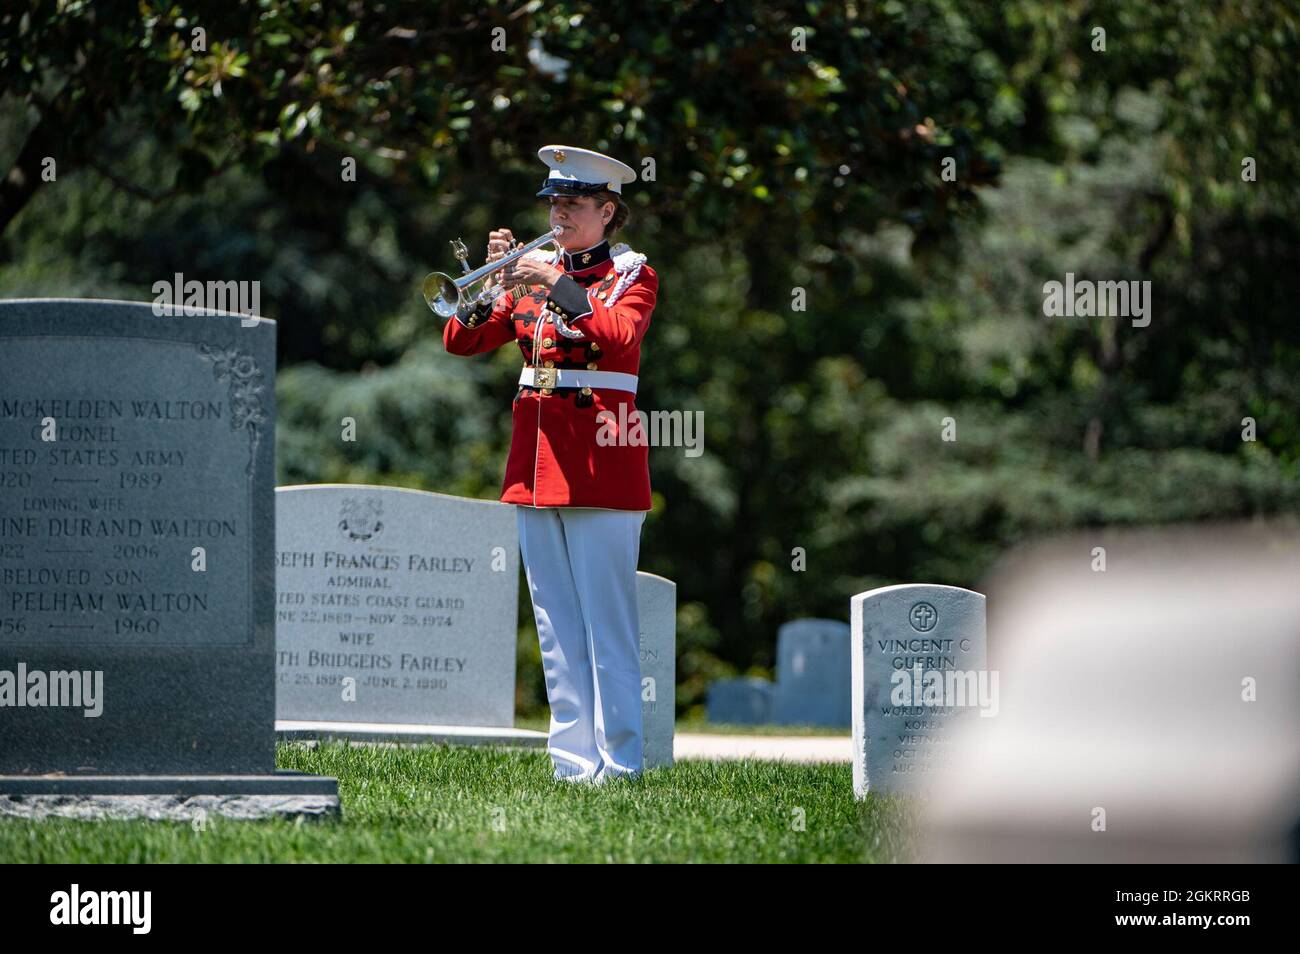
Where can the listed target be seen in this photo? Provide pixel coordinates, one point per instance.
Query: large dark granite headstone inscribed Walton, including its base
(137, 565)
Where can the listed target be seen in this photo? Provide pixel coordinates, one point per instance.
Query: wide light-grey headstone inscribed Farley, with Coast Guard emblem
(395, 606)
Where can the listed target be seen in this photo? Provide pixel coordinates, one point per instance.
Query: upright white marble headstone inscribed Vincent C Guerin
(917, 630)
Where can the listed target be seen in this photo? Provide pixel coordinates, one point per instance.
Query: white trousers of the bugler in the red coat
(582, 569)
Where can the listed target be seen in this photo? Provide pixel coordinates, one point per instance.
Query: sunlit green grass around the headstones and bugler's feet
(460, 804)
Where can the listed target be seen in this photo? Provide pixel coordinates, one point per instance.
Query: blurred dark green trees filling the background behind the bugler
(795, 149)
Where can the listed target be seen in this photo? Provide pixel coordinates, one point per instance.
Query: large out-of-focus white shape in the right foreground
(1126, 730)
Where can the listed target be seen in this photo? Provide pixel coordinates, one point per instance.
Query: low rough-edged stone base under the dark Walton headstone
(170, 797)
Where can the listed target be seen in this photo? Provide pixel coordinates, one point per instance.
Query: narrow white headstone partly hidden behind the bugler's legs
(657, 608)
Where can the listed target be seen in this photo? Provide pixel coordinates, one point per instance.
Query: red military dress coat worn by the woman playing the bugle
(556, 459)
